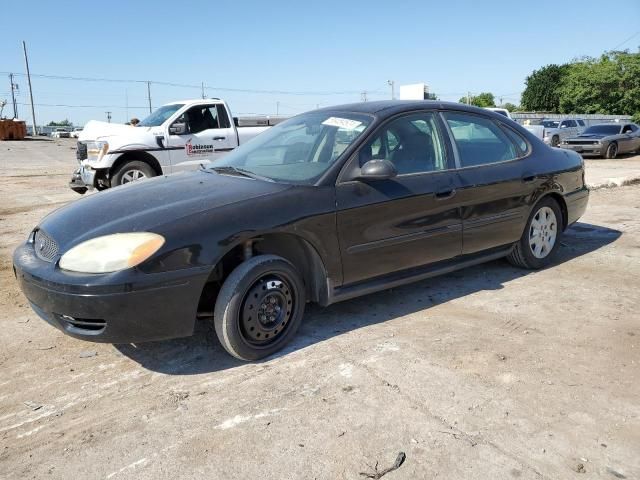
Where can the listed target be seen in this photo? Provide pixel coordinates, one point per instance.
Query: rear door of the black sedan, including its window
(495, 182)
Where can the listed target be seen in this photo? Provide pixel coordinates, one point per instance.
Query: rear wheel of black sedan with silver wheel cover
(541, 236)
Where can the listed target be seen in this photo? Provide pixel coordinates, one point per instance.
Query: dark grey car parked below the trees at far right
(605, 140)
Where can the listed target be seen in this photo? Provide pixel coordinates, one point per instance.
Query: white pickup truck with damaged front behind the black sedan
(177, 136)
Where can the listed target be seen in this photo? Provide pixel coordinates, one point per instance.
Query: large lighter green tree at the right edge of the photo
(608, 85)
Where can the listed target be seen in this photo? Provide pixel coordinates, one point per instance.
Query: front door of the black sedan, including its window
(411, 220)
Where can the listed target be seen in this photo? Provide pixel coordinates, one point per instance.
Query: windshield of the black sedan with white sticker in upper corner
(300, 149)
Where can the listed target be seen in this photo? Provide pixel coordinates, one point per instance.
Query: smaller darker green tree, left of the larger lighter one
(541, 93)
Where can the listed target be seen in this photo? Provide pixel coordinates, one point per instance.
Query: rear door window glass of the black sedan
(479, 140)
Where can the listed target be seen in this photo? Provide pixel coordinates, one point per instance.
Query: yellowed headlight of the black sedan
(111, 253)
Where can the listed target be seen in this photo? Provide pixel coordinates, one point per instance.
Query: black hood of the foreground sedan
(149, 204)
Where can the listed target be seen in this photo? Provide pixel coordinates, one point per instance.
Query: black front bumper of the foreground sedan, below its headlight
(137, 307)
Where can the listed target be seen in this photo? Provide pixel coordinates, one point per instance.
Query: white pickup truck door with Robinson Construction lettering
(209, 136)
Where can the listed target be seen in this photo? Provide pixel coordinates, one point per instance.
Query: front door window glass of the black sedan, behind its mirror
(412, 143)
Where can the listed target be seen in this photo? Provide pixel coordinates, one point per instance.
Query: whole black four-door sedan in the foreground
(324, 207)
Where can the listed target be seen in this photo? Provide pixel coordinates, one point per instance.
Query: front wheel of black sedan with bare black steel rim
(259, 307)
